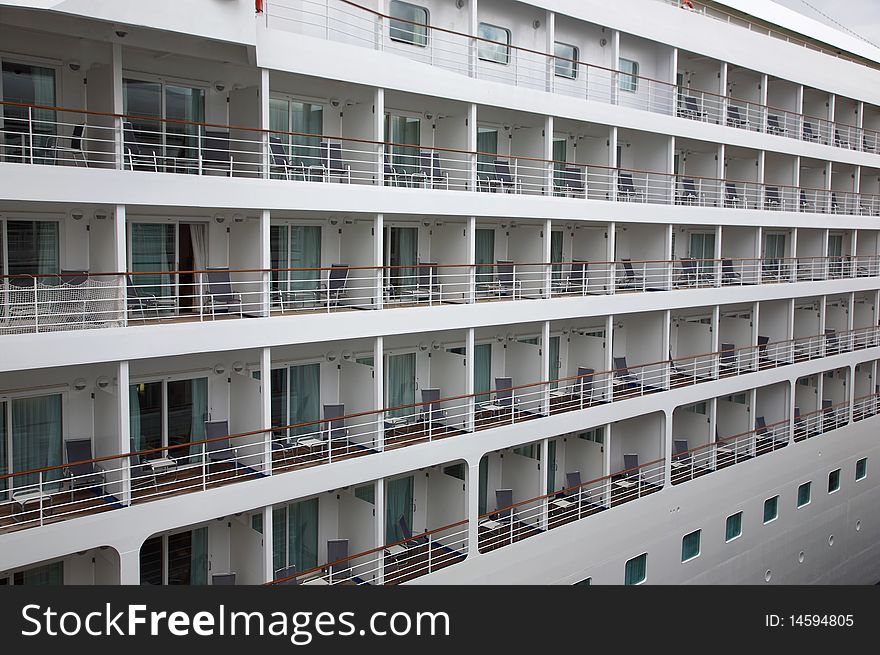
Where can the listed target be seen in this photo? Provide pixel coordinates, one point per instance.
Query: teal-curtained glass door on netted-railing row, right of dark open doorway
(298, 247)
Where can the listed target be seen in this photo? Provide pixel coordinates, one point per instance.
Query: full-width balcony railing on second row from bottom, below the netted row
(56, 493)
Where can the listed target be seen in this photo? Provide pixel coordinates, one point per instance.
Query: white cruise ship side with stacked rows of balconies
(437, 291)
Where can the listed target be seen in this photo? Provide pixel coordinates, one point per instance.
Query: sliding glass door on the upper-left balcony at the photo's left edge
(27, 132)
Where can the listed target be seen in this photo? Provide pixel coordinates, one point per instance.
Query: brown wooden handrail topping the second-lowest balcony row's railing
(386, 410)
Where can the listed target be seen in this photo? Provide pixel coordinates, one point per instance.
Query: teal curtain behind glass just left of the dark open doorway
(153, 248)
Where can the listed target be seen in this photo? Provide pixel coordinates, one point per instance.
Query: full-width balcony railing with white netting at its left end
(84, 300)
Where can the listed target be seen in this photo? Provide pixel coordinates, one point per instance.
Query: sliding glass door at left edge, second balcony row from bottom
(31, 432)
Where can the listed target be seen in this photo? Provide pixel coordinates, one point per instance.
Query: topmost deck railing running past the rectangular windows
(349, 22)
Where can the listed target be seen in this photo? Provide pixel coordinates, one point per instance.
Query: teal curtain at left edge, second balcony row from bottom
(36, 438)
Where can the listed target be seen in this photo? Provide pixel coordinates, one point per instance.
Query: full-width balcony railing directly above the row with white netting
(105, 140)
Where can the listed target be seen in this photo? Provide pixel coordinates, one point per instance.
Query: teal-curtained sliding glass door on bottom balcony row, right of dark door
(295, 536)
